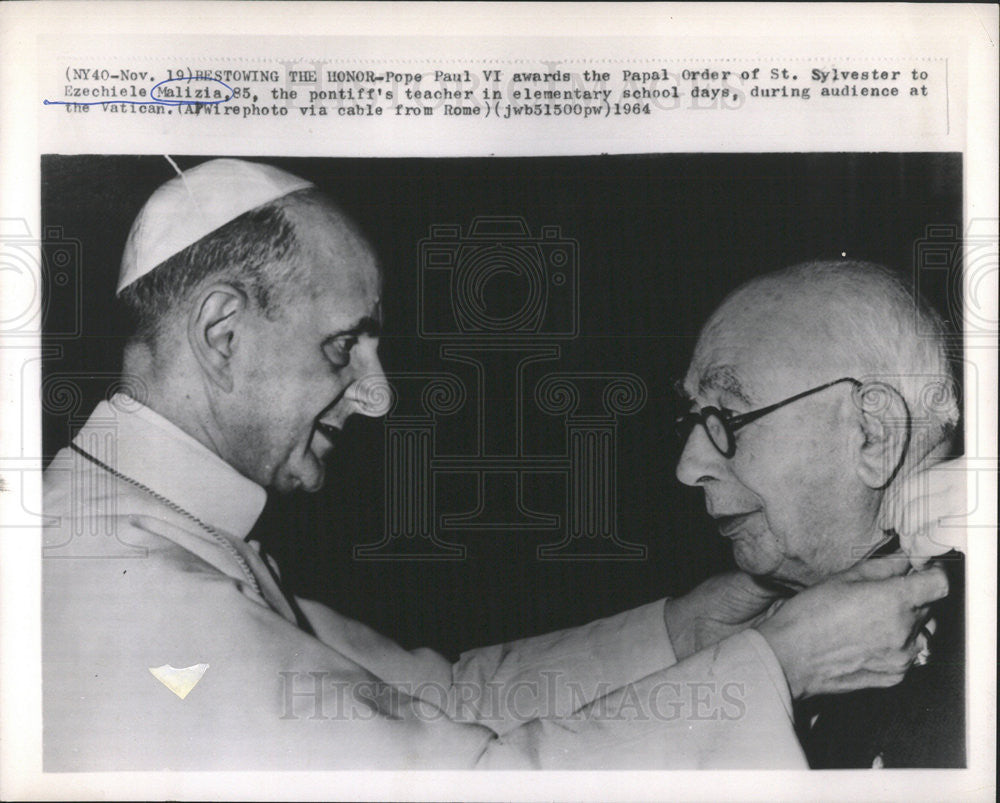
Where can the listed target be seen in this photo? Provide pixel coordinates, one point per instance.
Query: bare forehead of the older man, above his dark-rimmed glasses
(757, 346)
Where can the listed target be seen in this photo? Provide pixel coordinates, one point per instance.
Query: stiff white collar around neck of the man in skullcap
(153, 451)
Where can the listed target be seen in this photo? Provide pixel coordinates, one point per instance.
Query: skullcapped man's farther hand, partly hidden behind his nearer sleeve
(718, 608)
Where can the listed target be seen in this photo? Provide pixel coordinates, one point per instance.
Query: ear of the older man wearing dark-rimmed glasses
(884, 418)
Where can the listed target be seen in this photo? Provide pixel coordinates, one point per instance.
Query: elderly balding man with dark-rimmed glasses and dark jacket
(814, 396)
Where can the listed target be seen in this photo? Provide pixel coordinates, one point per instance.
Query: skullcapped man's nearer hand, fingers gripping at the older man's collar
(856, 630)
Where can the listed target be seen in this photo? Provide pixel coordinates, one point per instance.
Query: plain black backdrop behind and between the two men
(662, 239)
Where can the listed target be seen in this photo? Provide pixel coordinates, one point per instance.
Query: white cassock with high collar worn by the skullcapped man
(132, 584)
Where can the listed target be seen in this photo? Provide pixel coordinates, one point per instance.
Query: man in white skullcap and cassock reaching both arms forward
(169, 642)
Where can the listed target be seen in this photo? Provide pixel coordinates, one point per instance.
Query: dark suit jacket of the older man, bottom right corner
(918, 723)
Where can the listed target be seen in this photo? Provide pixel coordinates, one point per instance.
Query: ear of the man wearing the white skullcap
(212, 329)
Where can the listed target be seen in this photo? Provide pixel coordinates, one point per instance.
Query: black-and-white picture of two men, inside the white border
(391, 463)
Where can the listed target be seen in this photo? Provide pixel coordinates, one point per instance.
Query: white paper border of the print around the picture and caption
(33, 35)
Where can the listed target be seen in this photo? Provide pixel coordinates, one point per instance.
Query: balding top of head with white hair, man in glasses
(821, 320)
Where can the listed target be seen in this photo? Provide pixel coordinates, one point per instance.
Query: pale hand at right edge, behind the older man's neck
(918, 506)
